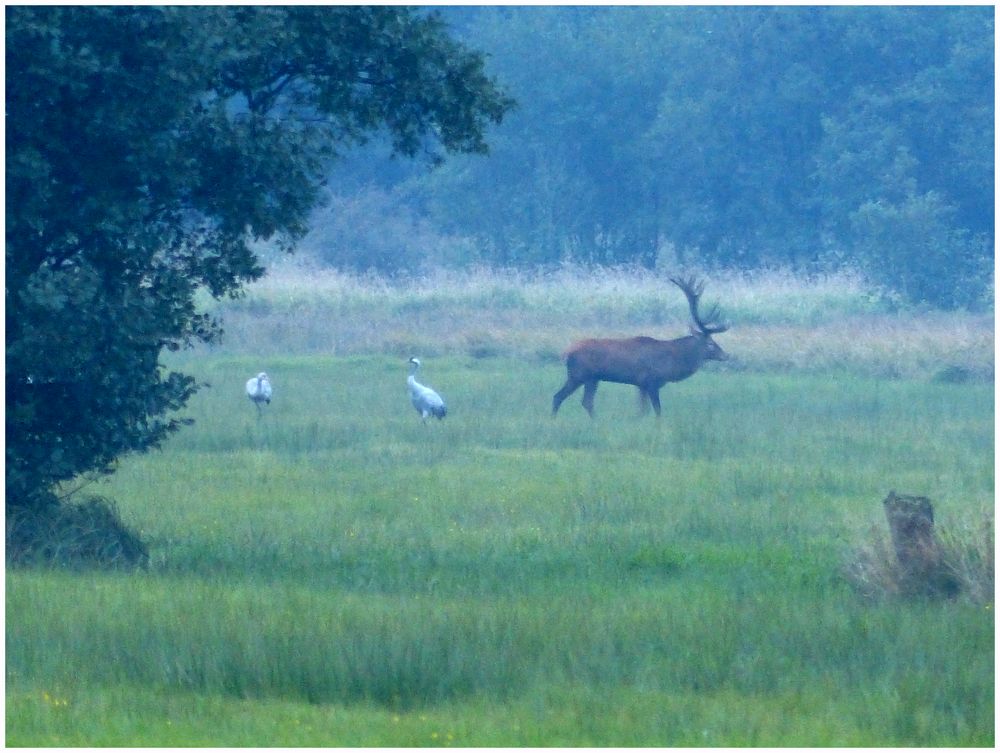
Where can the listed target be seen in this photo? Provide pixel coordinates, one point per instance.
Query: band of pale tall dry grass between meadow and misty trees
(780, 321)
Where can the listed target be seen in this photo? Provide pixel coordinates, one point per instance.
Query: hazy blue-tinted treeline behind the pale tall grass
(810, 138)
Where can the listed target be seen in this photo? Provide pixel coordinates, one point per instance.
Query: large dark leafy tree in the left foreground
(147, 148)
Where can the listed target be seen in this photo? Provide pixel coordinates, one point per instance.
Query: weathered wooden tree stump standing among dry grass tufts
(922, 569)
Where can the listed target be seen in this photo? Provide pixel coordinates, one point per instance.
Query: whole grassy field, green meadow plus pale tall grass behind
(336, 573)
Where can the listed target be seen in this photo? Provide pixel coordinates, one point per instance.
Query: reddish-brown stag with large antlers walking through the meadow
(643, 361)
